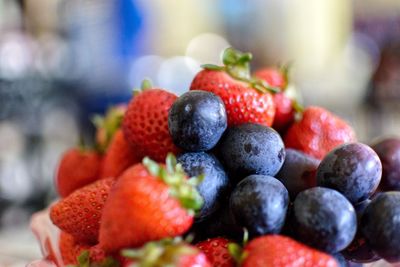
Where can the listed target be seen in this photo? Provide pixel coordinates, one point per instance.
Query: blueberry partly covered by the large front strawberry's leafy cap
(215, 184)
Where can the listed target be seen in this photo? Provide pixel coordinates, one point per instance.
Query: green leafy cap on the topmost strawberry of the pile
(237, 65)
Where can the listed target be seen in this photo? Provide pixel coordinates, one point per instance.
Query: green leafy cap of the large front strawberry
(175, 177)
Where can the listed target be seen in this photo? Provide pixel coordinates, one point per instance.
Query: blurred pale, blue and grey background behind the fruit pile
(63, 61)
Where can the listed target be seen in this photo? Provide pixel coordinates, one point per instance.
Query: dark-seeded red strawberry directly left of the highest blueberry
(145, 123)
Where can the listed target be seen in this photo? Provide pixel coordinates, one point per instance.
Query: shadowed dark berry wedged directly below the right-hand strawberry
(298, 172)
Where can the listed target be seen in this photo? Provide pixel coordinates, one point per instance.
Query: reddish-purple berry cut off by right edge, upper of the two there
(388, 151)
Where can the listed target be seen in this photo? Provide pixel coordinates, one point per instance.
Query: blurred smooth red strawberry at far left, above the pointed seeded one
(77, 168)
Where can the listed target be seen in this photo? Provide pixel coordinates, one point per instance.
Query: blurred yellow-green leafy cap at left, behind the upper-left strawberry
(107, 126)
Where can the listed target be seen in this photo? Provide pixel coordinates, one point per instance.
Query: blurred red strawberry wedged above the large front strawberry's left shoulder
(119, 156)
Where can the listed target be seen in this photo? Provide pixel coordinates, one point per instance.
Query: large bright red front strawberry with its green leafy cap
(148, 202)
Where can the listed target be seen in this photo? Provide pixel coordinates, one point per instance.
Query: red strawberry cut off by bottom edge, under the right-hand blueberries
(282, 251)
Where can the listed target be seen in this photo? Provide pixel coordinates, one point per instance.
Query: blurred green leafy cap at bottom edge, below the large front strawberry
(165, 252)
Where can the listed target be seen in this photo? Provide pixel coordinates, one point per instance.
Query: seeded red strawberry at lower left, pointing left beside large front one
(79, 213)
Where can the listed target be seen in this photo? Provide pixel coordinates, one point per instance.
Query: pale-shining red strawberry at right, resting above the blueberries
(318, 132)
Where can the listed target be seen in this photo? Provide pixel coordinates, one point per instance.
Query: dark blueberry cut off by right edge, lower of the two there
(380, 225)
